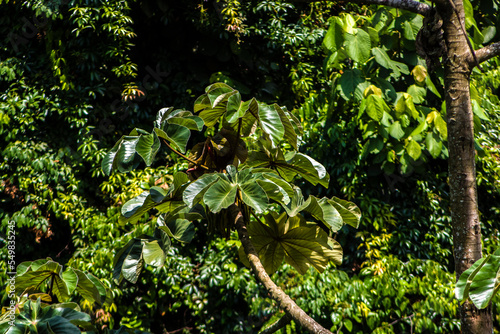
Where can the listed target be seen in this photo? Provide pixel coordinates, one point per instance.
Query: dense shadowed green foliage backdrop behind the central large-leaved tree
(76, 77)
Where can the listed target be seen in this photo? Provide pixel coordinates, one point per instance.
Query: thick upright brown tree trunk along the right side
(461, 163)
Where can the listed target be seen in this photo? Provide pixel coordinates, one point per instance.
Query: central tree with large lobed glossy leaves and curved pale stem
(238, 178)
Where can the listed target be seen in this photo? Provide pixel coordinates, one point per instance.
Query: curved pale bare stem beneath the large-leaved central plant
(284, 301)
